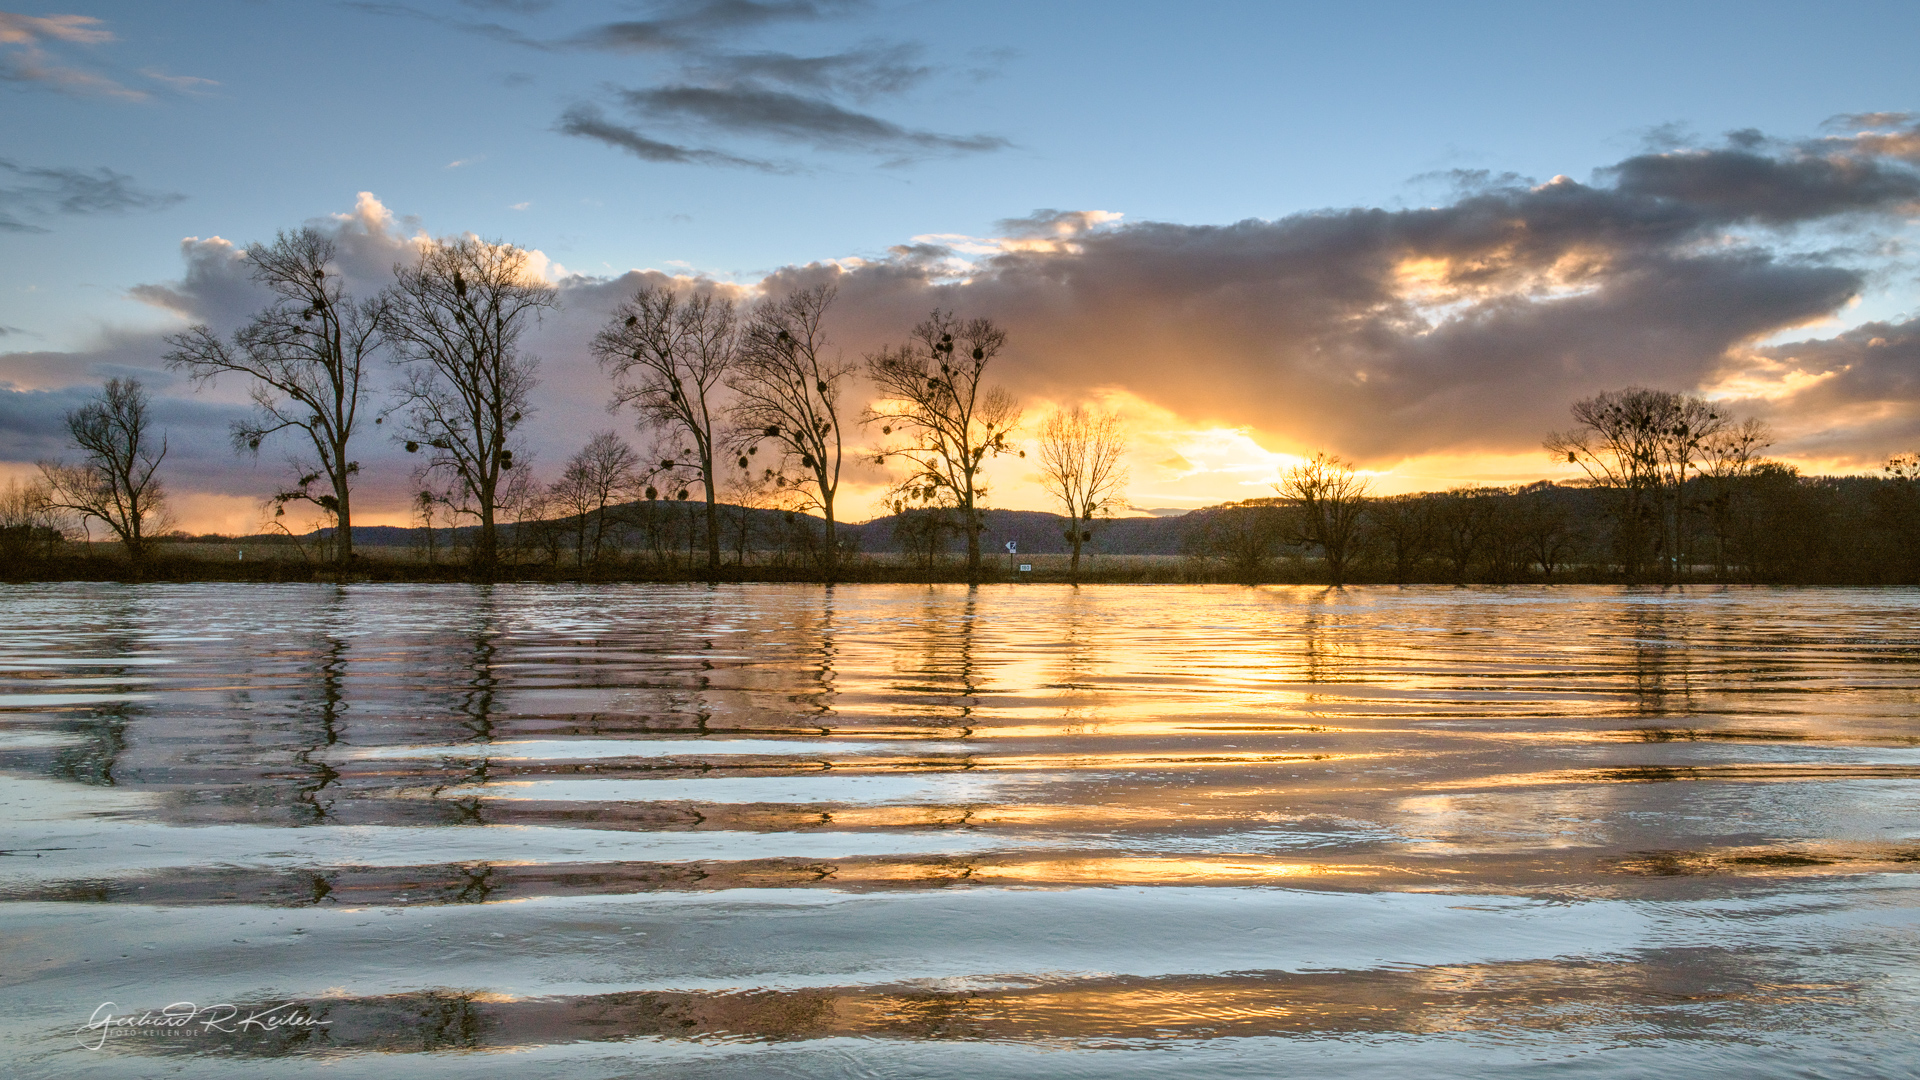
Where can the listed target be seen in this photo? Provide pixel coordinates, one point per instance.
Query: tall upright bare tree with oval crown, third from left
(456, 318)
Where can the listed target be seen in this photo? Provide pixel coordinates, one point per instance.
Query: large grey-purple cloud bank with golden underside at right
(1464, 328)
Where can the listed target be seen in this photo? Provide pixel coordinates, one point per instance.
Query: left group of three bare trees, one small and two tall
(452, 322)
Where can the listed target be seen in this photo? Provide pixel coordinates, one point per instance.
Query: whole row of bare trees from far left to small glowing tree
(711, 383)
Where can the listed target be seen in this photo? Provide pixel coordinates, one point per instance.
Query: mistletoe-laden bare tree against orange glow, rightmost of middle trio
(949, 422)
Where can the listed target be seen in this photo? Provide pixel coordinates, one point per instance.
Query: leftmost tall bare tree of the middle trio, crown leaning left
(669, 356)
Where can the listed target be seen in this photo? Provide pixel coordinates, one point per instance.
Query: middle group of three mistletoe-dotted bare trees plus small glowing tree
(725, 383)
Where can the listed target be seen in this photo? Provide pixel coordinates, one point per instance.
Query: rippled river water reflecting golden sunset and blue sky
(901, 831)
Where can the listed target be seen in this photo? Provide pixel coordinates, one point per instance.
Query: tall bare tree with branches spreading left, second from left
(306, 356)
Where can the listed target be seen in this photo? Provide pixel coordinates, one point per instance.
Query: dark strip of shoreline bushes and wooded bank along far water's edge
(1771, 528)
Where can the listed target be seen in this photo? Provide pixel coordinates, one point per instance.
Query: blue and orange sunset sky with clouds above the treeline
(1404, 233)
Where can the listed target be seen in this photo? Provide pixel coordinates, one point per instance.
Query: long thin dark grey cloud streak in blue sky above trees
(817, 122)
